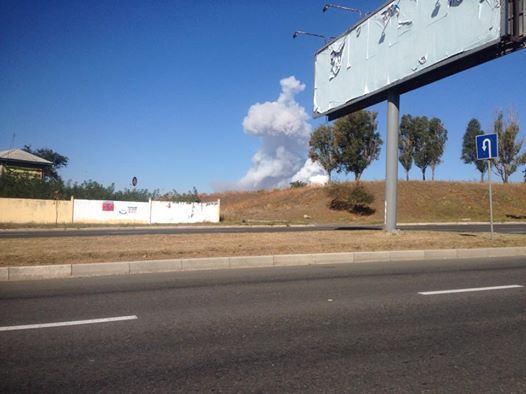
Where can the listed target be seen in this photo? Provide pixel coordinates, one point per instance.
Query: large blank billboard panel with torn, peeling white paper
(403, 45)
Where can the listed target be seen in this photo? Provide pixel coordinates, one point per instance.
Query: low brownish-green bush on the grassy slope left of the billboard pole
(354, 199)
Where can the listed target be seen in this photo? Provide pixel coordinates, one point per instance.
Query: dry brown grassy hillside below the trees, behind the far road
(417, 202)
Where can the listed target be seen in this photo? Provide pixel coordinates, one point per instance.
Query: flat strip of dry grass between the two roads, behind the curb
(39, 251)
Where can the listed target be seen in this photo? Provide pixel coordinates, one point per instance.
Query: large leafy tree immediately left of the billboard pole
(357, 142)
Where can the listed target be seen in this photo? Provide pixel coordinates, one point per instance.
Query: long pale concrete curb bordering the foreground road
(213, 263)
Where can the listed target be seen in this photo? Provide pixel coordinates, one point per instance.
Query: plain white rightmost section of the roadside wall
(170, 212)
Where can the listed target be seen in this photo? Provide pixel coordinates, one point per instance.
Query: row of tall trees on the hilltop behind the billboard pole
(352, 143)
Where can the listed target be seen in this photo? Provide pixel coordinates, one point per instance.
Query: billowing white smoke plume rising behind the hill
(284, 130)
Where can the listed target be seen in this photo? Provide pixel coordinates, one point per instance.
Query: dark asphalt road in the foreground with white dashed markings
(332, 329)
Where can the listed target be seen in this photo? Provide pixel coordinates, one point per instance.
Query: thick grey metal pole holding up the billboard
(391, 177)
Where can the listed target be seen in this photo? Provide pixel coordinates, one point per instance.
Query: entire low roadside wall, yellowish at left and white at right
(110, 212)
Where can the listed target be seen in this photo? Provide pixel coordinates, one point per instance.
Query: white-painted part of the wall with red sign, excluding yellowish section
(101, 211)
